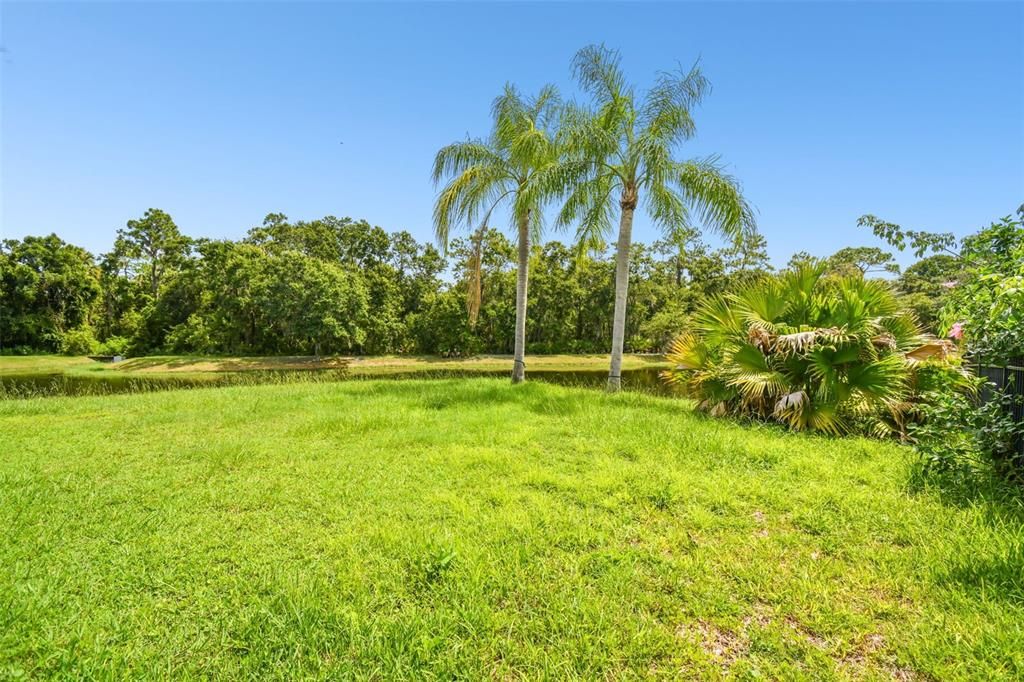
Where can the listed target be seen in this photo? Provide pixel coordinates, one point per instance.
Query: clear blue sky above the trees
(221, 113)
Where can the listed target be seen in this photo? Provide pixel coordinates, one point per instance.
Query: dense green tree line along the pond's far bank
(342, 286)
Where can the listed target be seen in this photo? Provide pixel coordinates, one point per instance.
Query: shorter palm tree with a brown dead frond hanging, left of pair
(519, 165)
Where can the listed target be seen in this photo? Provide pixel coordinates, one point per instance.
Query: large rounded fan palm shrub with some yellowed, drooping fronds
(828, 354)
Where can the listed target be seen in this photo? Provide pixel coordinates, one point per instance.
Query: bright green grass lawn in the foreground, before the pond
(476, 530)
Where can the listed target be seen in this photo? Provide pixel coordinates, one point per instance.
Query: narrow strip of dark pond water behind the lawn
(53, 385)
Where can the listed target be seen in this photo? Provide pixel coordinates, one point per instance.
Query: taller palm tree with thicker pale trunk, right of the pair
(629, 147)
